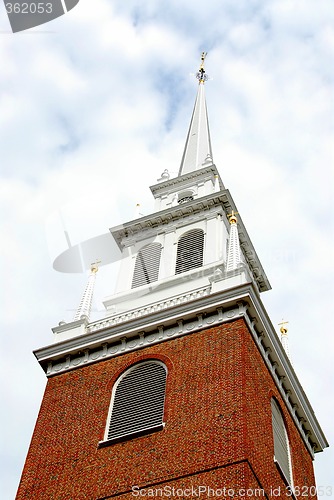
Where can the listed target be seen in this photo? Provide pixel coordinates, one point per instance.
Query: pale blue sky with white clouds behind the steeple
(96, 104)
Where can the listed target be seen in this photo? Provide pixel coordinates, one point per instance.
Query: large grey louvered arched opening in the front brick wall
(138, 404)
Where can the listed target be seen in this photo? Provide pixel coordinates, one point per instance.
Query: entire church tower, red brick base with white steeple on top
(183, 389)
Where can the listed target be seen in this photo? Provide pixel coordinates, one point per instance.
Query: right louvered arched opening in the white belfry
(189, 251)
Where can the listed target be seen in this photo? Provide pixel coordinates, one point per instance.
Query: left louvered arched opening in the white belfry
(147, 265)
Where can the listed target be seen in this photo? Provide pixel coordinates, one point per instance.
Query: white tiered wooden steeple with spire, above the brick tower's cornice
(189, 244)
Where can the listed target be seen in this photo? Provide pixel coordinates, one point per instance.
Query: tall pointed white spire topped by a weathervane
(197, 152)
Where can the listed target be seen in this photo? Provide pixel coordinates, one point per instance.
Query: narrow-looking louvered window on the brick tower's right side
(281, 442)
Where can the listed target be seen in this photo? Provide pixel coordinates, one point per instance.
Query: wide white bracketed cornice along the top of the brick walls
(119, 335)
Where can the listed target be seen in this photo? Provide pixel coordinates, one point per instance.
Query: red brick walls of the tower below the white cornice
(218, 425)
